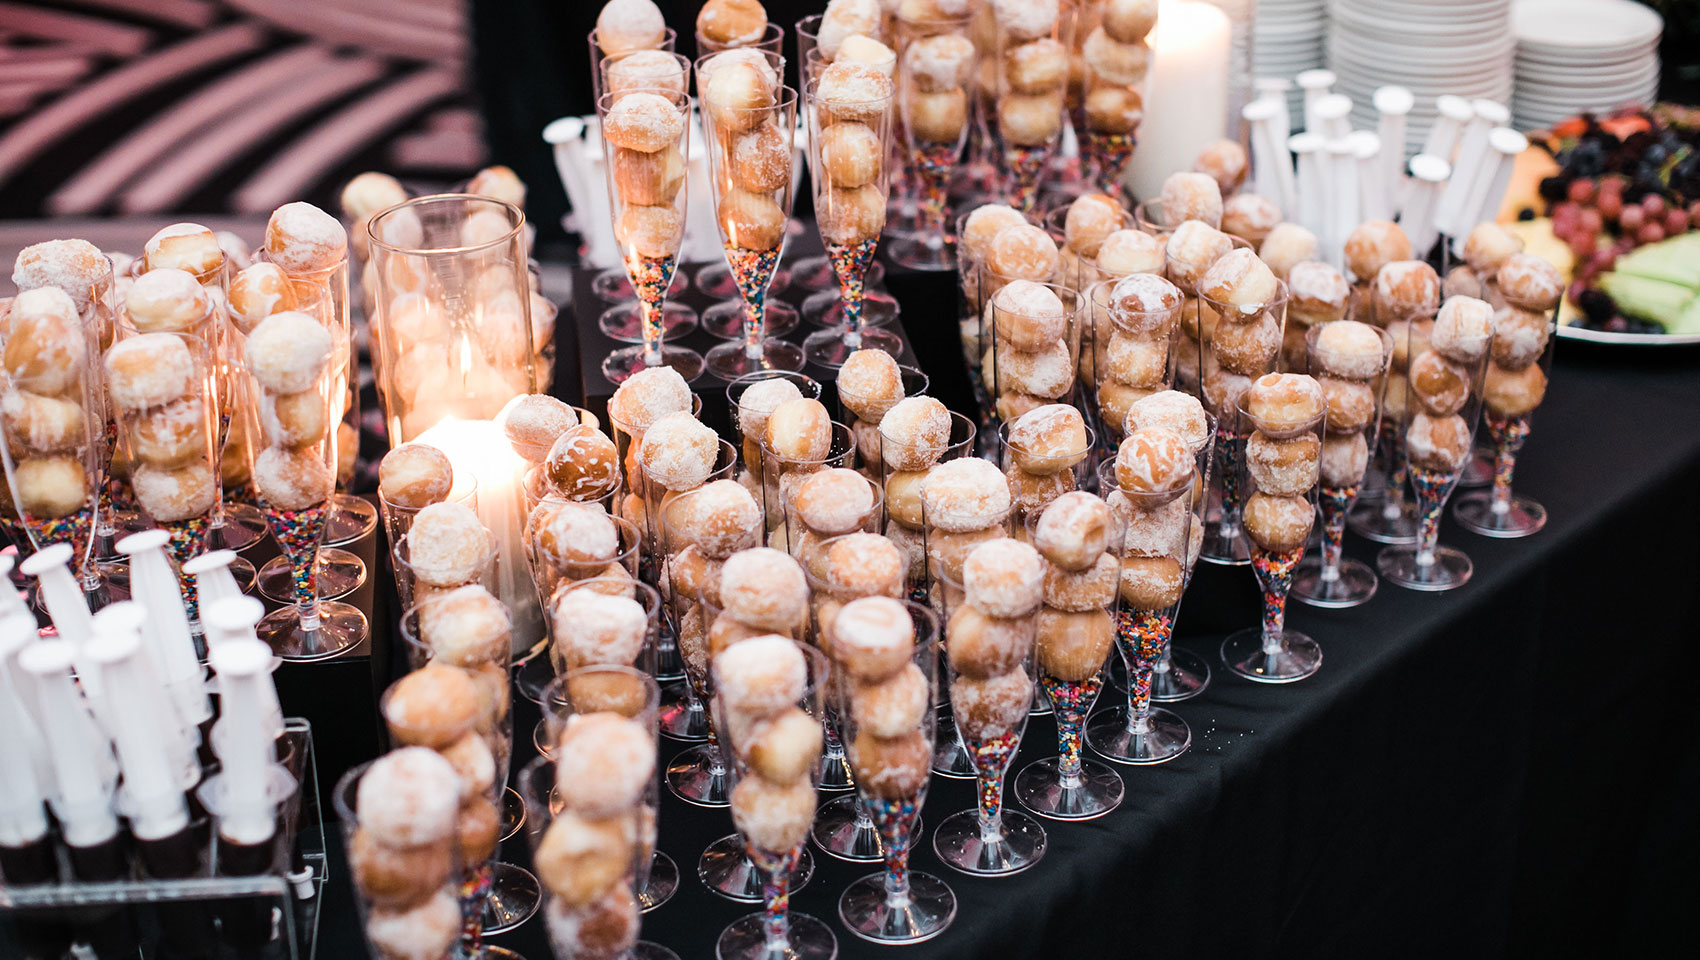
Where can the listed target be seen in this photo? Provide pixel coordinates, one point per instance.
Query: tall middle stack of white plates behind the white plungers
(1431, 47)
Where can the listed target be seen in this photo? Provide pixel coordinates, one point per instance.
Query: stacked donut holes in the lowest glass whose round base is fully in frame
(873, 643)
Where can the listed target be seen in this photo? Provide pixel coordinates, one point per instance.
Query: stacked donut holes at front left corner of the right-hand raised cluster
(1031, 361)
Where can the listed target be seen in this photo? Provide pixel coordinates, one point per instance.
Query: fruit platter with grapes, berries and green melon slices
(1619, 201)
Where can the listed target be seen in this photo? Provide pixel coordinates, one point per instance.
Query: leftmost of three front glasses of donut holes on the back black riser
(640, 132)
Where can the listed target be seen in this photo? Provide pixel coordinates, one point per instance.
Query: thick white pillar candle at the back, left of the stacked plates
(1186, 94)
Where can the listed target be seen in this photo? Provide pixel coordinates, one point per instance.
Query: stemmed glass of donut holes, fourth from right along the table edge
(1279, 470)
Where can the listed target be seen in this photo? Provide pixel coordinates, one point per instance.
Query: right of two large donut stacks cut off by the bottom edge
(589, 856)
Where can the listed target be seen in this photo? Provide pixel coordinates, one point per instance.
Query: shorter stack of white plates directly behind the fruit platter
(1584, 55)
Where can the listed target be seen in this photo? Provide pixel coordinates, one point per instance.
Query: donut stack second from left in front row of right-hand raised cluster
(1135, 354)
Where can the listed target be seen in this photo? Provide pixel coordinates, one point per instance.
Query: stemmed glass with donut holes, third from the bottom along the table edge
(990, 720)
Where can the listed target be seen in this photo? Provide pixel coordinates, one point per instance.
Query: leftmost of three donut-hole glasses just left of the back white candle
(938, 65)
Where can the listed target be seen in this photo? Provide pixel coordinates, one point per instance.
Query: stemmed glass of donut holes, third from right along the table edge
(1356, 381)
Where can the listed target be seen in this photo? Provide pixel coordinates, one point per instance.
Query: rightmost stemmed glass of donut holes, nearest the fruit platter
(1512, 390)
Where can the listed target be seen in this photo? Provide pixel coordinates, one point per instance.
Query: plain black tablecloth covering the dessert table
(1502, 771)
